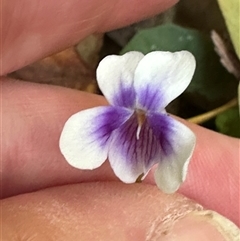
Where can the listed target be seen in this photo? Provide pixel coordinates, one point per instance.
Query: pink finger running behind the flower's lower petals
(32, 122)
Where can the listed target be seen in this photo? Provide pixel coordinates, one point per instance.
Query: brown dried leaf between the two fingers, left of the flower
(64, 69)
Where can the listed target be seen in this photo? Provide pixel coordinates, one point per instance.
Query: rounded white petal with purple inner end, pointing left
(84, 141)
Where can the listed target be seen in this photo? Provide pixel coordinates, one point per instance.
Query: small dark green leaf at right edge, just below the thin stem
(228, 122)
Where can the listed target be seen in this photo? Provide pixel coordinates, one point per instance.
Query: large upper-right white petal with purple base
(162, 76)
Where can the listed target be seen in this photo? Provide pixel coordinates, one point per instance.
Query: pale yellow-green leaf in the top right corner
(231, 12)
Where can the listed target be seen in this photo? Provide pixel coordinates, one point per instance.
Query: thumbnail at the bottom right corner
(203, 226)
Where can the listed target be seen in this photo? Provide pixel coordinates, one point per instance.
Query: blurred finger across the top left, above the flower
(34, 29)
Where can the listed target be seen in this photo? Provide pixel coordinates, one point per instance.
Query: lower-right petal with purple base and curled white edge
(177, 143)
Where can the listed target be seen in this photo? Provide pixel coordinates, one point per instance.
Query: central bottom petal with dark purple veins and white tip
(130, 157)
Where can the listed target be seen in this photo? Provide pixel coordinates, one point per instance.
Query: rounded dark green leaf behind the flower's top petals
(212, 85)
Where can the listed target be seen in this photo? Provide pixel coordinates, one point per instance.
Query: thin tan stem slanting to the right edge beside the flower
(199, 119)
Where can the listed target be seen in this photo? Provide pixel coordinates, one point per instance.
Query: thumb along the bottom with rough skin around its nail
(110, 211)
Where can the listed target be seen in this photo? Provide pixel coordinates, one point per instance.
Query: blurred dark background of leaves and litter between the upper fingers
(201, 27)
